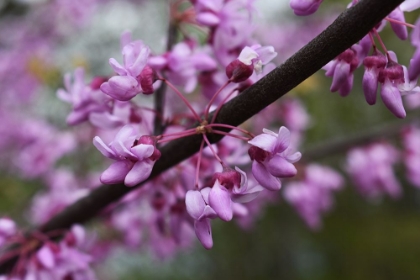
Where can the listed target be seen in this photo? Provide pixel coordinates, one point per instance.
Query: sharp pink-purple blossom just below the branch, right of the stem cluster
(272, 158)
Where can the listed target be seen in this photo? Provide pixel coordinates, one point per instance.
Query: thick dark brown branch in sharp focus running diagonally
(346, 30)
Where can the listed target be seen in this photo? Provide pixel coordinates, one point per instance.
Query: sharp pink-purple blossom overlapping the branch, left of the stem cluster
(134, 158)
